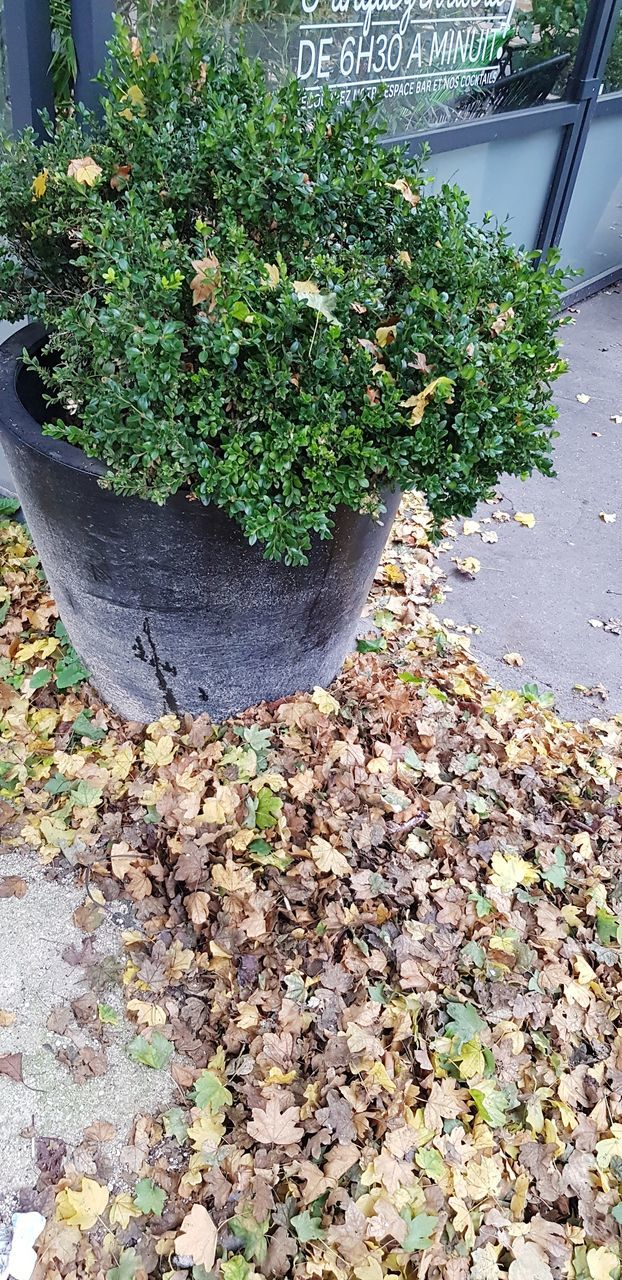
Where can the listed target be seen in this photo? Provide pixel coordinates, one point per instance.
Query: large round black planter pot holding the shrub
(170, 607)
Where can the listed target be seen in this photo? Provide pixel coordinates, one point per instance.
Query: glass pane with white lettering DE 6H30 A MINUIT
(435, 62)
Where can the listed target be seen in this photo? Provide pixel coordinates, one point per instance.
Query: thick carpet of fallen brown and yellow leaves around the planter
(376, 938)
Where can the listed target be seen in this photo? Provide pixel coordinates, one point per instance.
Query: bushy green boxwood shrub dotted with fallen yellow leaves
(264, 307)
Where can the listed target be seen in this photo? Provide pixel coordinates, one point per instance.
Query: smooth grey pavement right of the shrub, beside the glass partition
(538, 588)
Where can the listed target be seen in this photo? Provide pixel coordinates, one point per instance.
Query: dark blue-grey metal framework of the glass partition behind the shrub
(28, 33)
